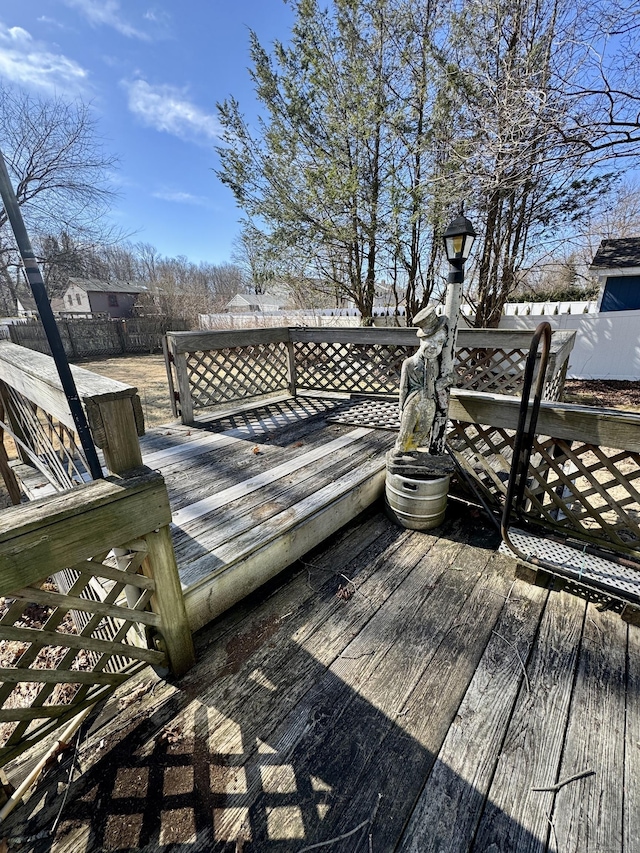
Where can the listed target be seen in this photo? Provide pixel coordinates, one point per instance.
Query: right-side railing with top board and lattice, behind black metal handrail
(584, 474)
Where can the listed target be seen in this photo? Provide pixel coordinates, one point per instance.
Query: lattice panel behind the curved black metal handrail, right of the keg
(579, 488)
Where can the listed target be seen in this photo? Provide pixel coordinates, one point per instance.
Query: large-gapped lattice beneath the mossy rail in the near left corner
(62, 651)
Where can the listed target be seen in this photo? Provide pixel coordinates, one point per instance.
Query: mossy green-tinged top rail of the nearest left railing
(43, 537)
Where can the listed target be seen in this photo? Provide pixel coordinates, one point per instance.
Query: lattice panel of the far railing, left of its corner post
(235, 373)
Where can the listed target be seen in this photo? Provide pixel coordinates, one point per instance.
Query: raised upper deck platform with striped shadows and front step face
(253, 490)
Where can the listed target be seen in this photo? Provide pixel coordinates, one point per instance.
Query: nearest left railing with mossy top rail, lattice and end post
(122, 610)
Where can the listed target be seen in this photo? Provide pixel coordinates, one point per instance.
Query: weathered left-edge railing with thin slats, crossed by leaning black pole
(35, 413)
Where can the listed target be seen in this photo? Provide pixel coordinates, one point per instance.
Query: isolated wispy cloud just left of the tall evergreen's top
(167, 108)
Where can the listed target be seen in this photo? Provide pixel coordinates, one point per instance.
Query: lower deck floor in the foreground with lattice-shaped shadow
(398, 691)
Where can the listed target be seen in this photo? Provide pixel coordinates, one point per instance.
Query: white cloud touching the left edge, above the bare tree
(29, 63)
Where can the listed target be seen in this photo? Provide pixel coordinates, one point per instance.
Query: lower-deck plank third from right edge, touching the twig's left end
(515, 818)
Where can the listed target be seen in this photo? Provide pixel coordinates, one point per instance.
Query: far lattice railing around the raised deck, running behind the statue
(213, 369)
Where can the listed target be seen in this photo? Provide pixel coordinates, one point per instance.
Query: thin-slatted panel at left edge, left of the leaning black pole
(43, 442)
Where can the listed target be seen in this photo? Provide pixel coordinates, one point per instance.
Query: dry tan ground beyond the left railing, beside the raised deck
(147, 373)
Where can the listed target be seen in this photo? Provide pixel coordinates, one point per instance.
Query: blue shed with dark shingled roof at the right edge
(617, 264)
